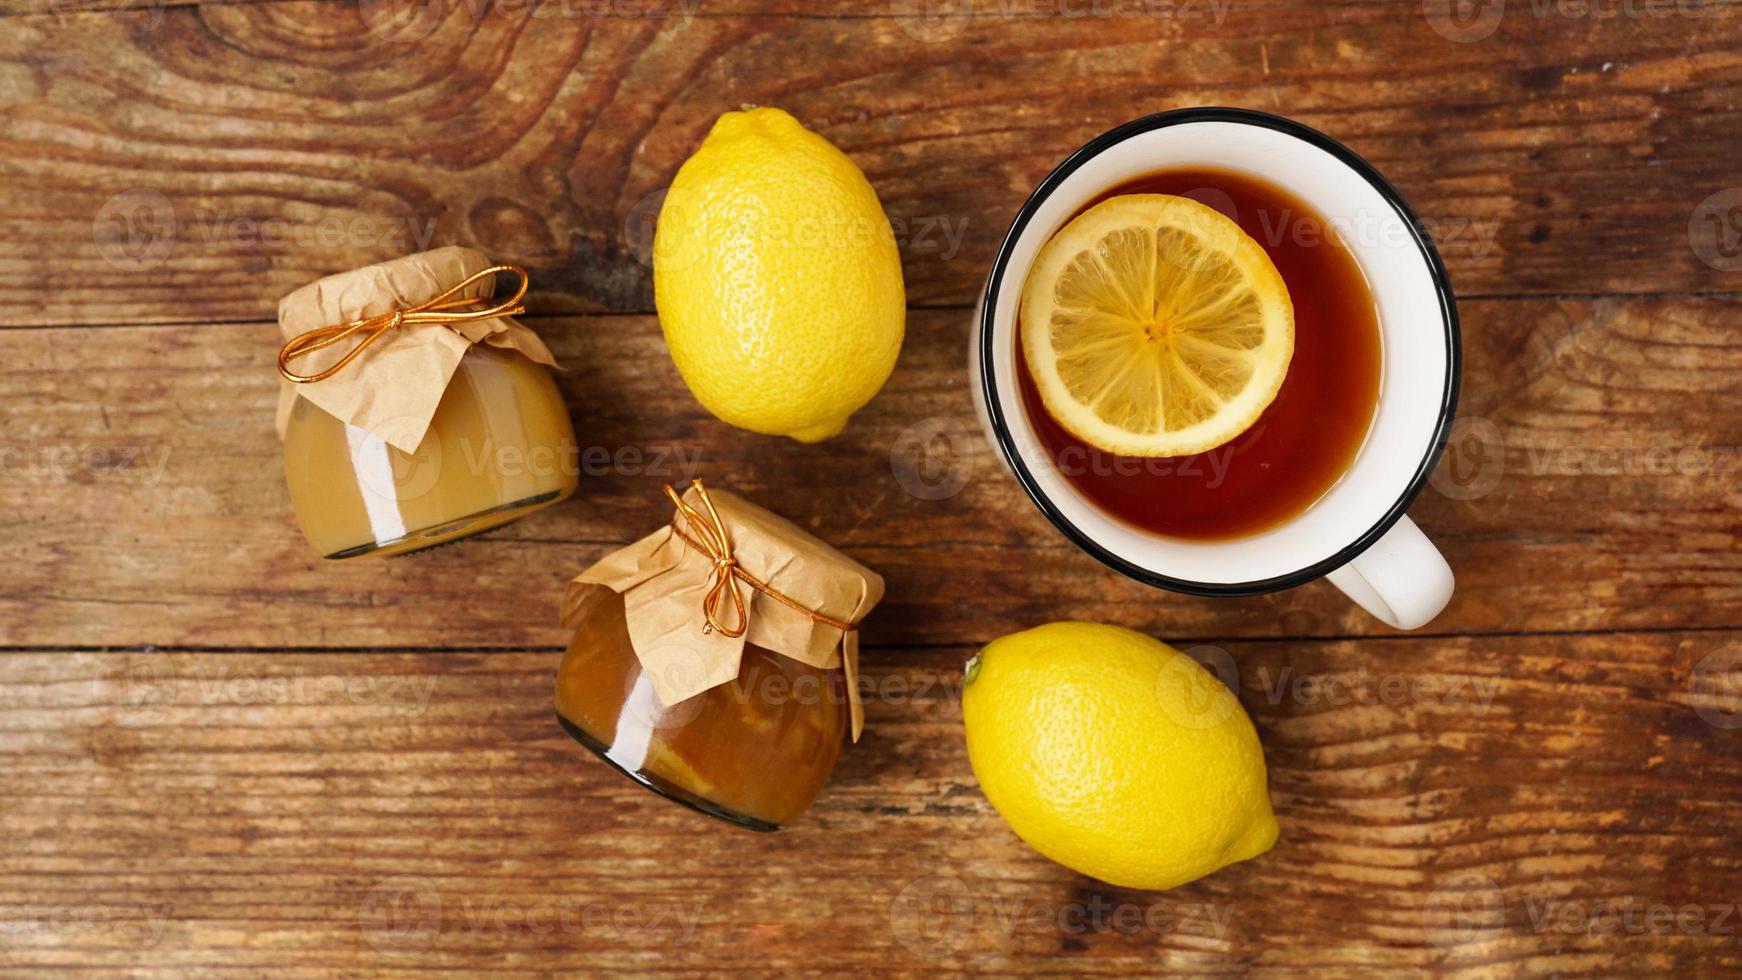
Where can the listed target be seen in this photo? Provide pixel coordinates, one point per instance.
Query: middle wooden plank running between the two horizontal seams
(1595, 487)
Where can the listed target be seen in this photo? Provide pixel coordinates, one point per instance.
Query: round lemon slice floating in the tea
(1154, 326)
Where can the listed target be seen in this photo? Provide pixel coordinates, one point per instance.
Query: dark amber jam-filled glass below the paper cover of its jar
(753, 751)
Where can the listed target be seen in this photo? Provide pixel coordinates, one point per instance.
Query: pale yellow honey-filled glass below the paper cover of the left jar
(499, 448)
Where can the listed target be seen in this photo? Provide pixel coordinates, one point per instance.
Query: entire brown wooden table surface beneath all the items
(220, 756)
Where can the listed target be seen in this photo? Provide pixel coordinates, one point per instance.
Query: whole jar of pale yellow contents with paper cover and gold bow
(435, 433)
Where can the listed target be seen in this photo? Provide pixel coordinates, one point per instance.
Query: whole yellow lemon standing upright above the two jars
(778, 279)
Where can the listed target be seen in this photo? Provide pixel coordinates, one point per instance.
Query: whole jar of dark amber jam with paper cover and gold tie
(745, 727)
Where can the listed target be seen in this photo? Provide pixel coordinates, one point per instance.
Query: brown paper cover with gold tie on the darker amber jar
(726, 574)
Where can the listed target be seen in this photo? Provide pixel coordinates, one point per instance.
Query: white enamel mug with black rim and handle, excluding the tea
(1356, 535)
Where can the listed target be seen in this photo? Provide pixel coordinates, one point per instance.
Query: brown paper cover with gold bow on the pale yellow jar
(410, 321)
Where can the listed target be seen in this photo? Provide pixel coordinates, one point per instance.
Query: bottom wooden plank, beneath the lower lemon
(1482, 807)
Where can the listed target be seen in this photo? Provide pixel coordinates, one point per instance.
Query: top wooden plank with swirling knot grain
(194, 164)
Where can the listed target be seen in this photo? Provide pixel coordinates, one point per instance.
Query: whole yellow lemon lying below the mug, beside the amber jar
(1116, 755)
